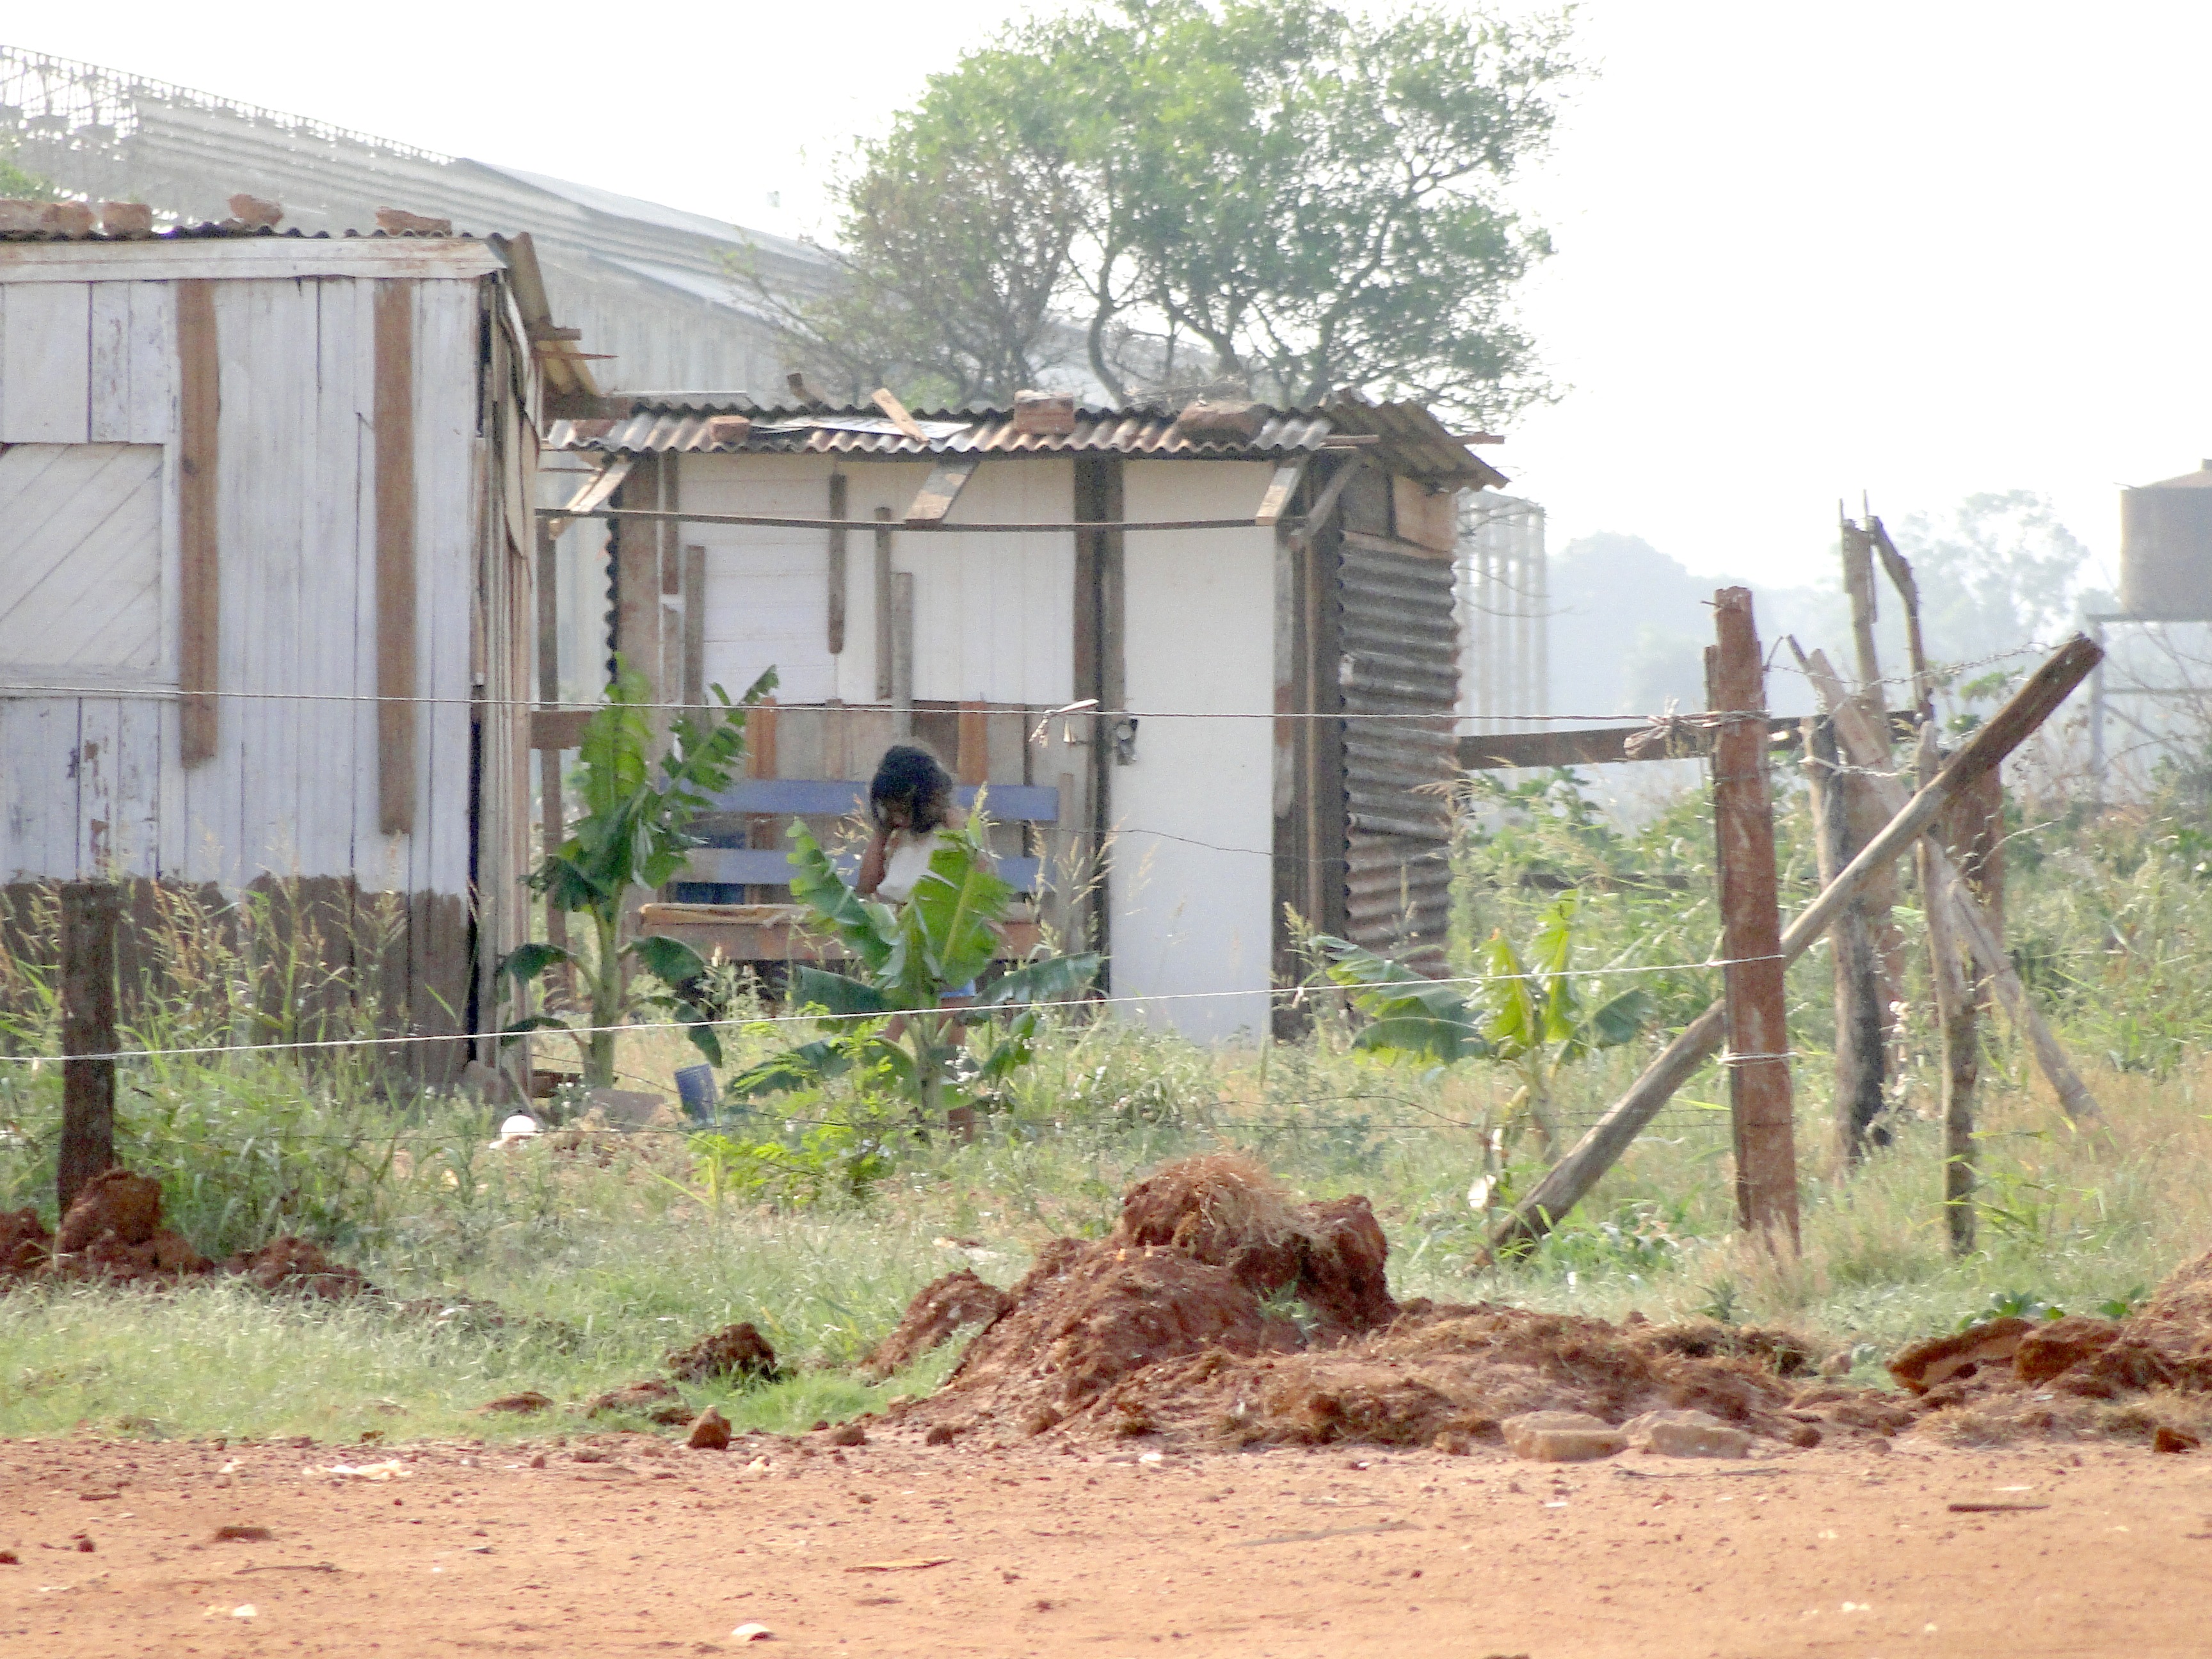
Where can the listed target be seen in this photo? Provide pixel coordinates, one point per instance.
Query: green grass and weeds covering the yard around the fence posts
(603, 1253)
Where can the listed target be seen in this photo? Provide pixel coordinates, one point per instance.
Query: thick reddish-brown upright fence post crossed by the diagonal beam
(1751, 928)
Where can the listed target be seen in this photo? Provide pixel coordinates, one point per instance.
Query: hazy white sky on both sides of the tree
(1804, 251)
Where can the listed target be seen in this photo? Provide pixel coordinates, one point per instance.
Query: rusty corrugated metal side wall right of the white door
(1399, 660)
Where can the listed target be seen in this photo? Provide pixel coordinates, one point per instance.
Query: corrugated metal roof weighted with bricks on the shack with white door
(1410, 437)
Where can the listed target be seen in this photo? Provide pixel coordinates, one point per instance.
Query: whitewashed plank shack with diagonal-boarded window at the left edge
(267, 609)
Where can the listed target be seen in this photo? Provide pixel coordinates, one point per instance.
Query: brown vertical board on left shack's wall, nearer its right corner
(395, 559)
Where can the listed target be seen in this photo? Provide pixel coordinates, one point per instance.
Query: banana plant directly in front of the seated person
(904, 961)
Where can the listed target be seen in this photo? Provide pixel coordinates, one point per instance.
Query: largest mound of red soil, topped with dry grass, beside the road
(1180, 1324)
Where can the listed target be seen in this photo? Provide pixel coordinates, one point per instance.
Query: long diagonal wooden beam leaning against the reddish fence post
(1611, 1136)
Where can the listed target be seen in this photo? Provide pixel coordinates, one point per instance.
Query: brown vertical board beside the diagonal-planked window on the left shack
(200, 594)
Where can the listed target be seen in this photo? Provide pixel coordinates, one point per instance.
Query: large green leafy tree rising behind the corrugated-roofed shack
(1288, 198)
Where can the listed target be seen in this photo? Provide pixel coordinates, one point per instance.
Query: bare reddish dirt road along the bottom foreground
(897, 1550)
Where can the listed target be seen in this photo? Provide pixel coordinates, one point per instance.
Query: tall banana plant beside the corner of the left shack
(634, 835)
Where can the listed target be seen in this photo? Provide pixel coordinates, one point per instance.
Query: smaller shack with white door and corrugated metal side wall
(1262, 625)
